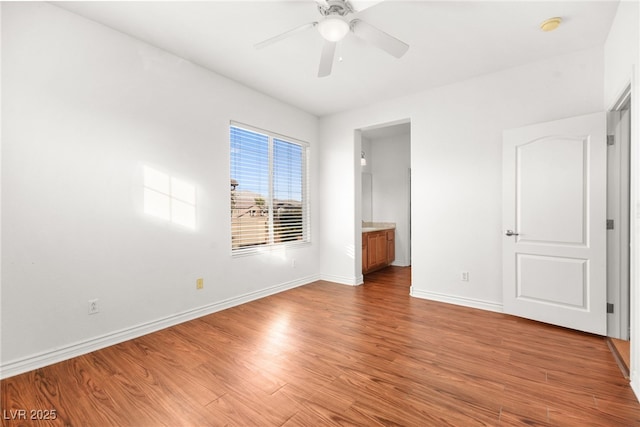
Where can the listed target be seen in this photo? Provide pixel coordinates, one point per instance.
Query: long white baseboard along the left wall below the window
(46, 358)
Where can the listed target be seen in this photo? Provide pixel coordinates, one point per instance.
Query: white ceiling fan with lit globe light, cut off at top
(334, 26)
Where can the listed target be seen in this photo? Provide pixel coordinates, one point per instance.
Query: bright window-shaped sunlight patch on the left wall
(169, 198)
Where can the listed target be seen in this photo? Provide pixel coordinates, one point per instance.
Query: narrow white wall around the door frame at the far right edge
(622, 63)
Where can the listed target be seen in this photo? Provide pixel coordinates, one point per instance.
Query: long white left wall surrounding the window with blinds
(83, 108)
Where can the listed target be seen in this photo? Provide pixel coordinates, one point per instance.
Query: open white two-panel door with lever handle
(554, 222)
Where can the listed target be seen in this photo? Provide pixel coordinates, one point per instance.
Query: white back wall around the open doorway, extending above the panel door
(456, 146)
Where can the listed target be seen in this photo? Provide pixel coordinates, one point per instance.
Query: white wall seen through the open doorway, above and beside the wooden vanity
(390, 159)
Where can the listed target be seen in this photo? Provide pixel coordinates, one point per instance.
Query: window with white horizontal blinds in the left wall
(268, 189)
